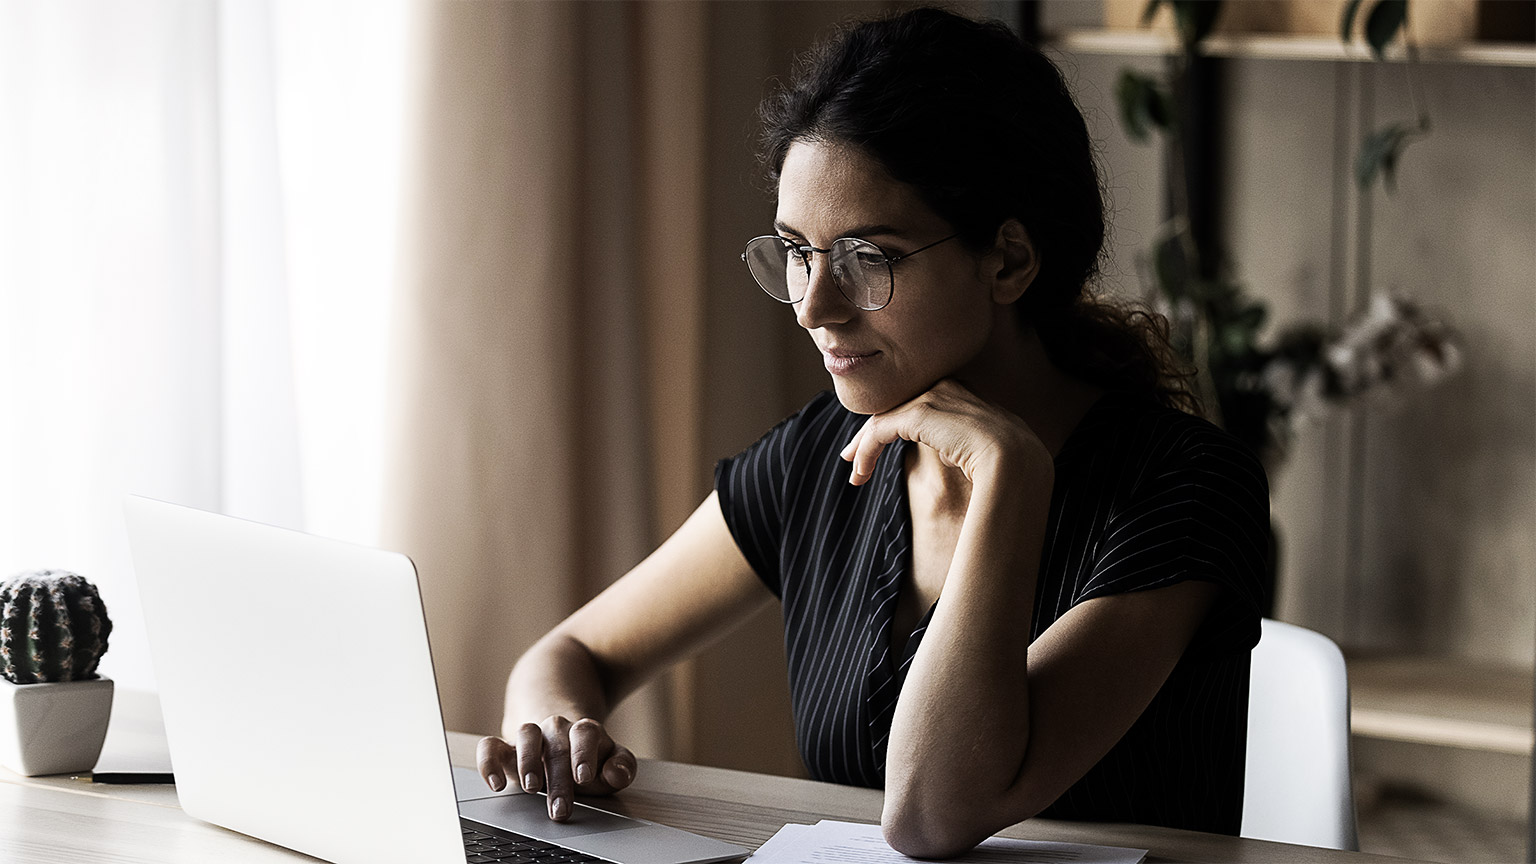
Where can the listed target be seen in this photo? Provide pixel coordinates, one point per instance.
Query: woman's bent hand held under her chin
(965, 431)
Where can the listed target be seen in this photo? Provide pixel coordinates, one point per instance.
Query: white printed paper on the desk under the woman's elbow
(852, 843)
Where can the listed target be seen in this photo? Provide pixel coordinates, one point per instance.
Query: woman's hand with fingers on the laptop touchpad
(560, 757)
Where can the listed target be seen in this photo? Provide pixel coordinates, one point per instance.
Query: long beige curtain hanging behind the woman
(577, 339)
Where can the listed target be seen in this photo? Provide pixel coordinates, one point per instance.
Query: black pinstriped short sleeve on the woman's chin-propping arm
(1199, 513)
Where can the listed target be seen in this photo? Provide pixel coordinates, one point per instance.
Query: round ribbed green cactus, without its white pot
(53, 628)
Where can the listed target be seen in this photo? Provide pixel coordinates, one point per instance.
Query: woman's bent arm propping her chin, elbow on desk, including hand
(990, 729)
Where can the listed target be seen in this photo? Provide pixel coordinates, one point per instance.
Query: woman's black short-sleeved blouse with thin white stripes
(1145, 497)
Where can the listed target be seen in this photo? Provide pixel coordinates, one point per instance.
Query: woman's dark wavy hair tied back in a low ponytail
(982, 127)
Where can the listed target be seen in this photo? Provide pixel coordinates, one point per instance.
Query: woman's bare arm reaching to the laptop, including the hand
(686, 596)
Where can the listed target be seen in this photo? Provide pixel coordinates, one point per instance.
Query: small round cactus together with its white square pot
(55, 708)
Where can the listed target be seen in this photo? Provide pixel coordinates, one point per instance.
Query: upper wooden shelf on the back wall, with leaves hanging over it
(1270, 47)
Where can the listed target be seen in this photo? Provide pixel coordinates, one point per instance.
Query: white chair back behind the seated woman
(1297, 785)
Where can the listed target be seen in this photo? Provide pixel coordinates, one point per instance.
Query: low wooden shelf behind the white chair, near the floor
(1442, 702)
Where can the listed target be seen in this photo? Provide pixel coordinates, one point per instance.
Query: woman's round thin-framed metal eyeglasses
(861, 270)
